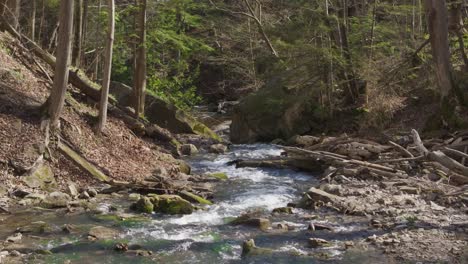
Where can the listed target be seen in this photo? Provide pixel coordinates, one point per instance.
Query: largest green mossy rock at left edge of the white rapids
(171, 204)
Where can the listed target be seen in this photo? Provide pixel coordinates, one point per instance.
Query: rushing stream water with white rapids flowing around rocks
(205, 236)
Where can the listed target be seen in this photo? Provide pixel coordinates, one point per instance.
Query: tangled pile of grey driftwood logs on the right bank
(349, 157)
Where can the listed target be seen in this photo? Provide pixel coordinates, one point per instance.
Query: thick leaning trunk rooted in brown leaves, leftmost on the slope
(57, 97)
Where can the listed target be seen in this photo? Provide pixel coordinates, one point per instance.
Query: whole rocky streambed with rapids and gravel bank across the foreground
(253, 216)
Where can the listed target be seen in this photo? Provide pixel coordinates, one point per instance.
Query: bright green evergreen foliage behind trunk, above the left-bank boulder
(172, 54)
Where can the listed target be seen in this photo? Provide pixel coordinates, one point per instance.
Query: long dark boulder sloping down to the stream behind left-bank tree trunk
(162, 113)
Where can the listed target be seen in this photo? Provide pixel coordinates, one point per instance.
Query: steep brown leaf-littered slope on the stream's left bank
(25, 86)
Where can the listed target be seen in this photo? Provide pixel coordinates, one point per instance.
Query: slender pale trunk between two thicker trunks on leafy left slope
(107, 67)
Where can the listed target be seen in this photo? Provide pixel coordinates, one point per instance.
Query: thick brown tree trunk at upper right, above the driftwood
(437, 17)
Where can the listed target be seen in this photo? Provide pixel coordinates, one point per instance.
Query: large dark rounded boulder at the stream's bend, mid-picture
(276, 111)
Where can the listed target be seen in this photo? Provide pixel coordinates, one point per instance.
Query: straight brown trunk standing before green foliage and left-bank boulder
(140, 71)
